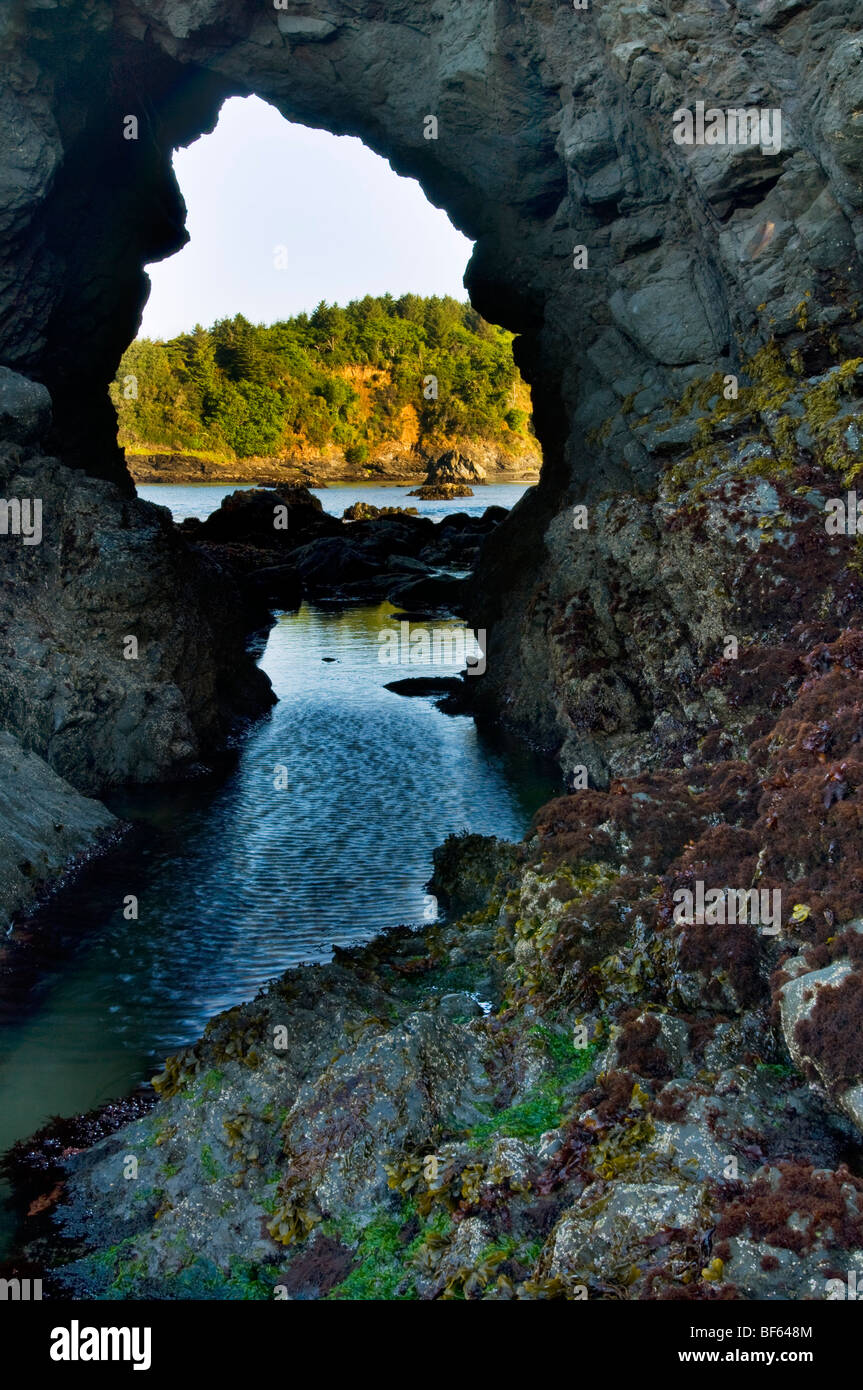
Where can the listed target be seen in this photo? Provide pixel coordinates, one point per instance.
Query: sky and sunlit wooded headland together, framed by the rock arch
(318, 305)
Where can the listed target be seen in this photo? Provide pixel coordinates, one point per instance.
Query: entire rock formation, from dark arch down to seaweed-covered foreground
(576, 1086)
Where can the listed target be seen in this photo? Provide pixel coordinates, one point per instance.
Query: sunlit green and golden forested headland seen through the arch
(383, 376)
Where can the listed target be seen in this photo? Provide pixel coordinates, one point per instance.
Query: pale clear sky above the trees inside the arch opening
(330, 211)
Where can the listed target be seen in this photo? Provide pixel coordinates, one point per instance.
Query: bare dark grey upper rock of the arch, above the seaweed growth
(554, 131)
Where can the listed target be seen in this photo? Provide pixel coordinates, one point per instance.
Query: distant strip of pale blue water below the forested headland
(199, 500)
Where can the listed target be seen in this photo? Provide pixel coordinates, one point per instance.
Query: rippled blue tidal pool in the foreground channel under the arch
(238, 881)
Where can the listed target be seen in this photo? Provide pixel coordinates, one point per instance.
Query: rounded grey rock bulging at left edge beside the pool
(112, 569)
